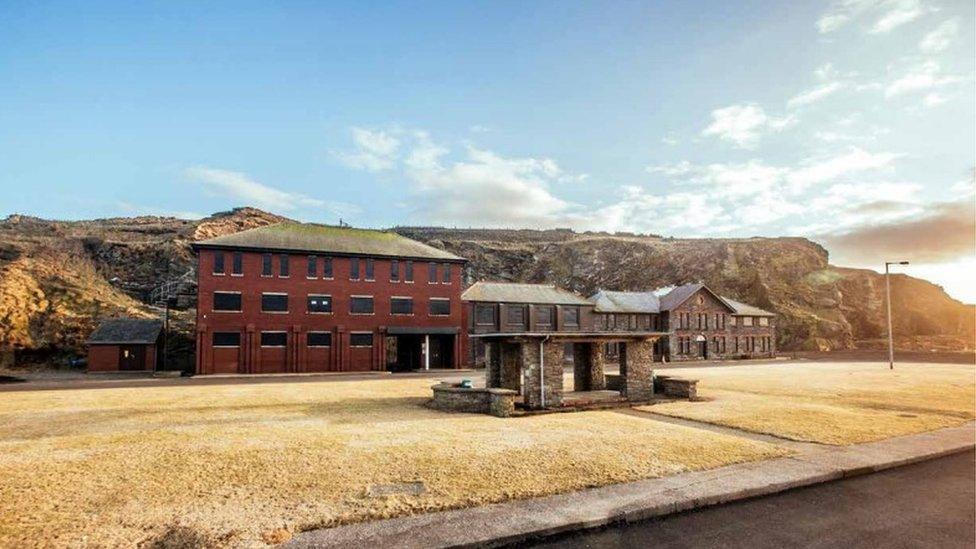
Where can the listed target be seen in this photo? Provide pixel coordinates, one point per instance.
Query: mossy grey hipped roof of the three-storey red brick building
(312, 237)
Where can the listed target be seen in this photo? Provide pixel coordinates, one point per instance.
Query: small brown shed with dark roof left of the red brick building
(125, 345)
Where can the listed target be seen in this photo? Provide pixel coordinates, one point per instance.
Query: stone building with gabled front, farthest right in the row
(700, 323)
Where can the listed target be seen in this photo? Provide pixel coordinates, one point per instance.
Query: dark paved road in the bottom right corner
(930, 504)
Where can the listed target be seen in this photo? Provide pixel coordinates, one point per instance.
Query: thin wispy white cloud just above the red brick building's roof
(241, 187)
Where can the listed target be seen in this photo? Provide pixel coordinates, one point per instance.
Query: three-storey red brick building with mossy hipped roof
(297, 297)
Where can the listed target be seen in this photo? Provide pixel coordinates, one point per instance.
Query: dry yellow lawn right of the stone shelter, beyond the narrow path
(831, 403)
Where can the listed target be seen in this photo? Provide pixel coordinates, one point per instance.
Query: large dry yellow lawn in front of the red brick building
(250, 464)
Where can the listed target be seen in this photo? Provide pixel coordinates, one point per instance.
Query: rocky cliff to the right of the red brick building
(820, 307)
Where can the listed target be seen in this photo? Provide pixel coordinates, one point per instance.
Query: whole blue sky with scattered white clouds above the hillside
(848, 122)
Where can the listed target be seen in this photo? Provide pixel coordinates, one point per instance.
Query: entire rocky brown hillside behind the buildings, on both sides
(57, 278)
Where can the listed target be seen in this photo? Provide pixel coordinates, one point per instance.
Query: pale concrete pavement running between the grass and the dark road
(516, 521)
